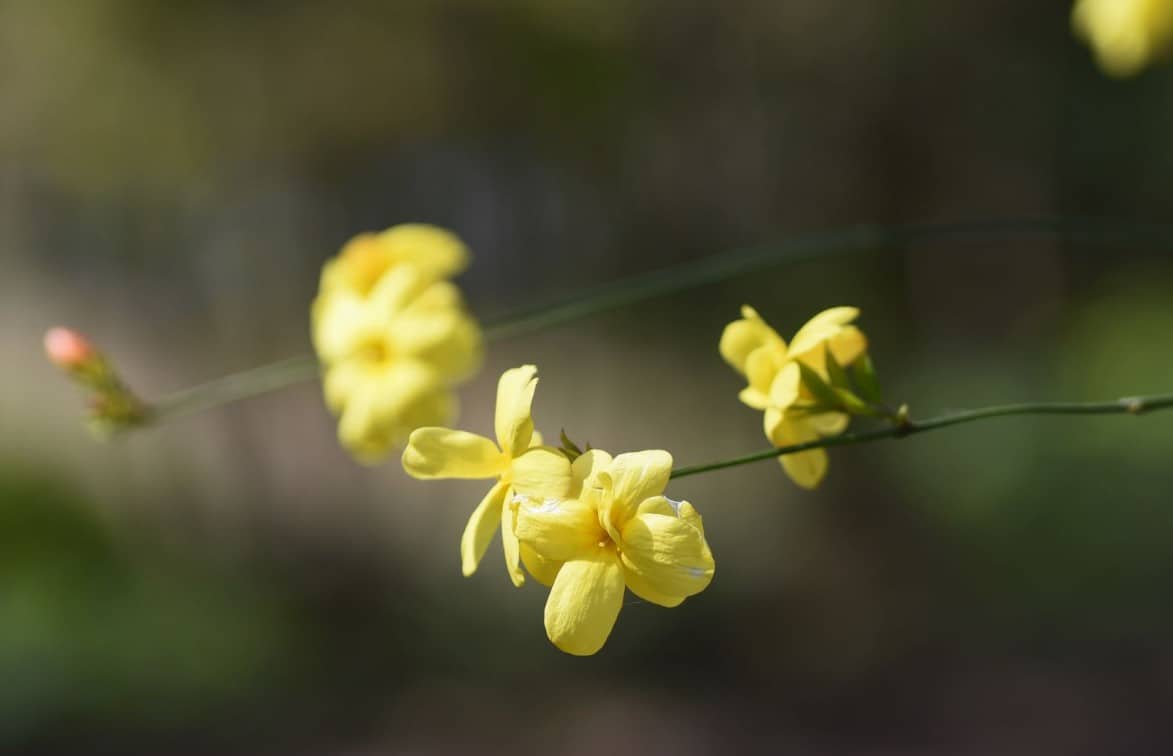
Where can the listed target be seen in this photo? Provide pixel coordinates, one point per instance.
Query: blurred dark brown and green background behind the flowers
(174, 174)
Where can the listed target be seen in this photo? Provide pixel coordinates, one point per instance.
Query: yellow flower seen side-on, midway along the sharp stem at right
(772, 369)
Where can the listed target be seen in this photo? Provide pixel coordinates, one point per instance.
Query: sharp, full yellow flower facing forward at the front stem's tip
(621, 533)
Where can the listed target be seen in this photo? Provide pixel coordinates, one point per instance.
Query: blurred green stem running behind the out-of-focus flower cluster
(711, 270)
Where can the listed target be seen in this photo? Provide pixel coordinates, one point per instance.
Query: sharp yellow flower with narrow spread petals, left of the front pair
(520, 466)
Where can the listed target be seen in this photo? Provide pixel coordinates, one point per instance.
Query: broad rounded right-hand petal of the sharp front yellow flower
(668, 554)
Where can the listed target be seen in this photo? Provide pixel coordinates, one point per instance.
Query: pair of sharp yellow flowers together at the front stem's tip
(586, 525)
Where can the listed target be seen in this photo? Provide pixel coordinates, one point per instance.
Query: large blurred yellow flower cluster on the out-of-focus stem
(394, 336)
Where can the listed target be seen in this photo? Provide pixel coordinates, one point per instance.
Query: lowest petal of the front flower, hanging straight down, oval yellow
(585, 603)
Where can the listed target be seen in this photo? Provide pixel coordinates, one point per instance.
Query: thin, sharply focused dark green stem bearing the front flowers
(1127, 406)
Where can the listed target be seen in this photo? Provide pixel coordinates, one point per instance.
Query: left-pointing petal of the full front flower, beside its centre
(559, 530)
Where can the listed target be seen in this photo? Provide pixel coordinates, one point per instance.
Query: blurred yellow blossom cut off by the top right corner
(1125, 35)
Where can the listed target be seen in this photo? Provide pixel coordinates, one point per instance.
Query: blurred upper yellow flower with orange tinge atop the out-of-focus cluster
(364, 261)
